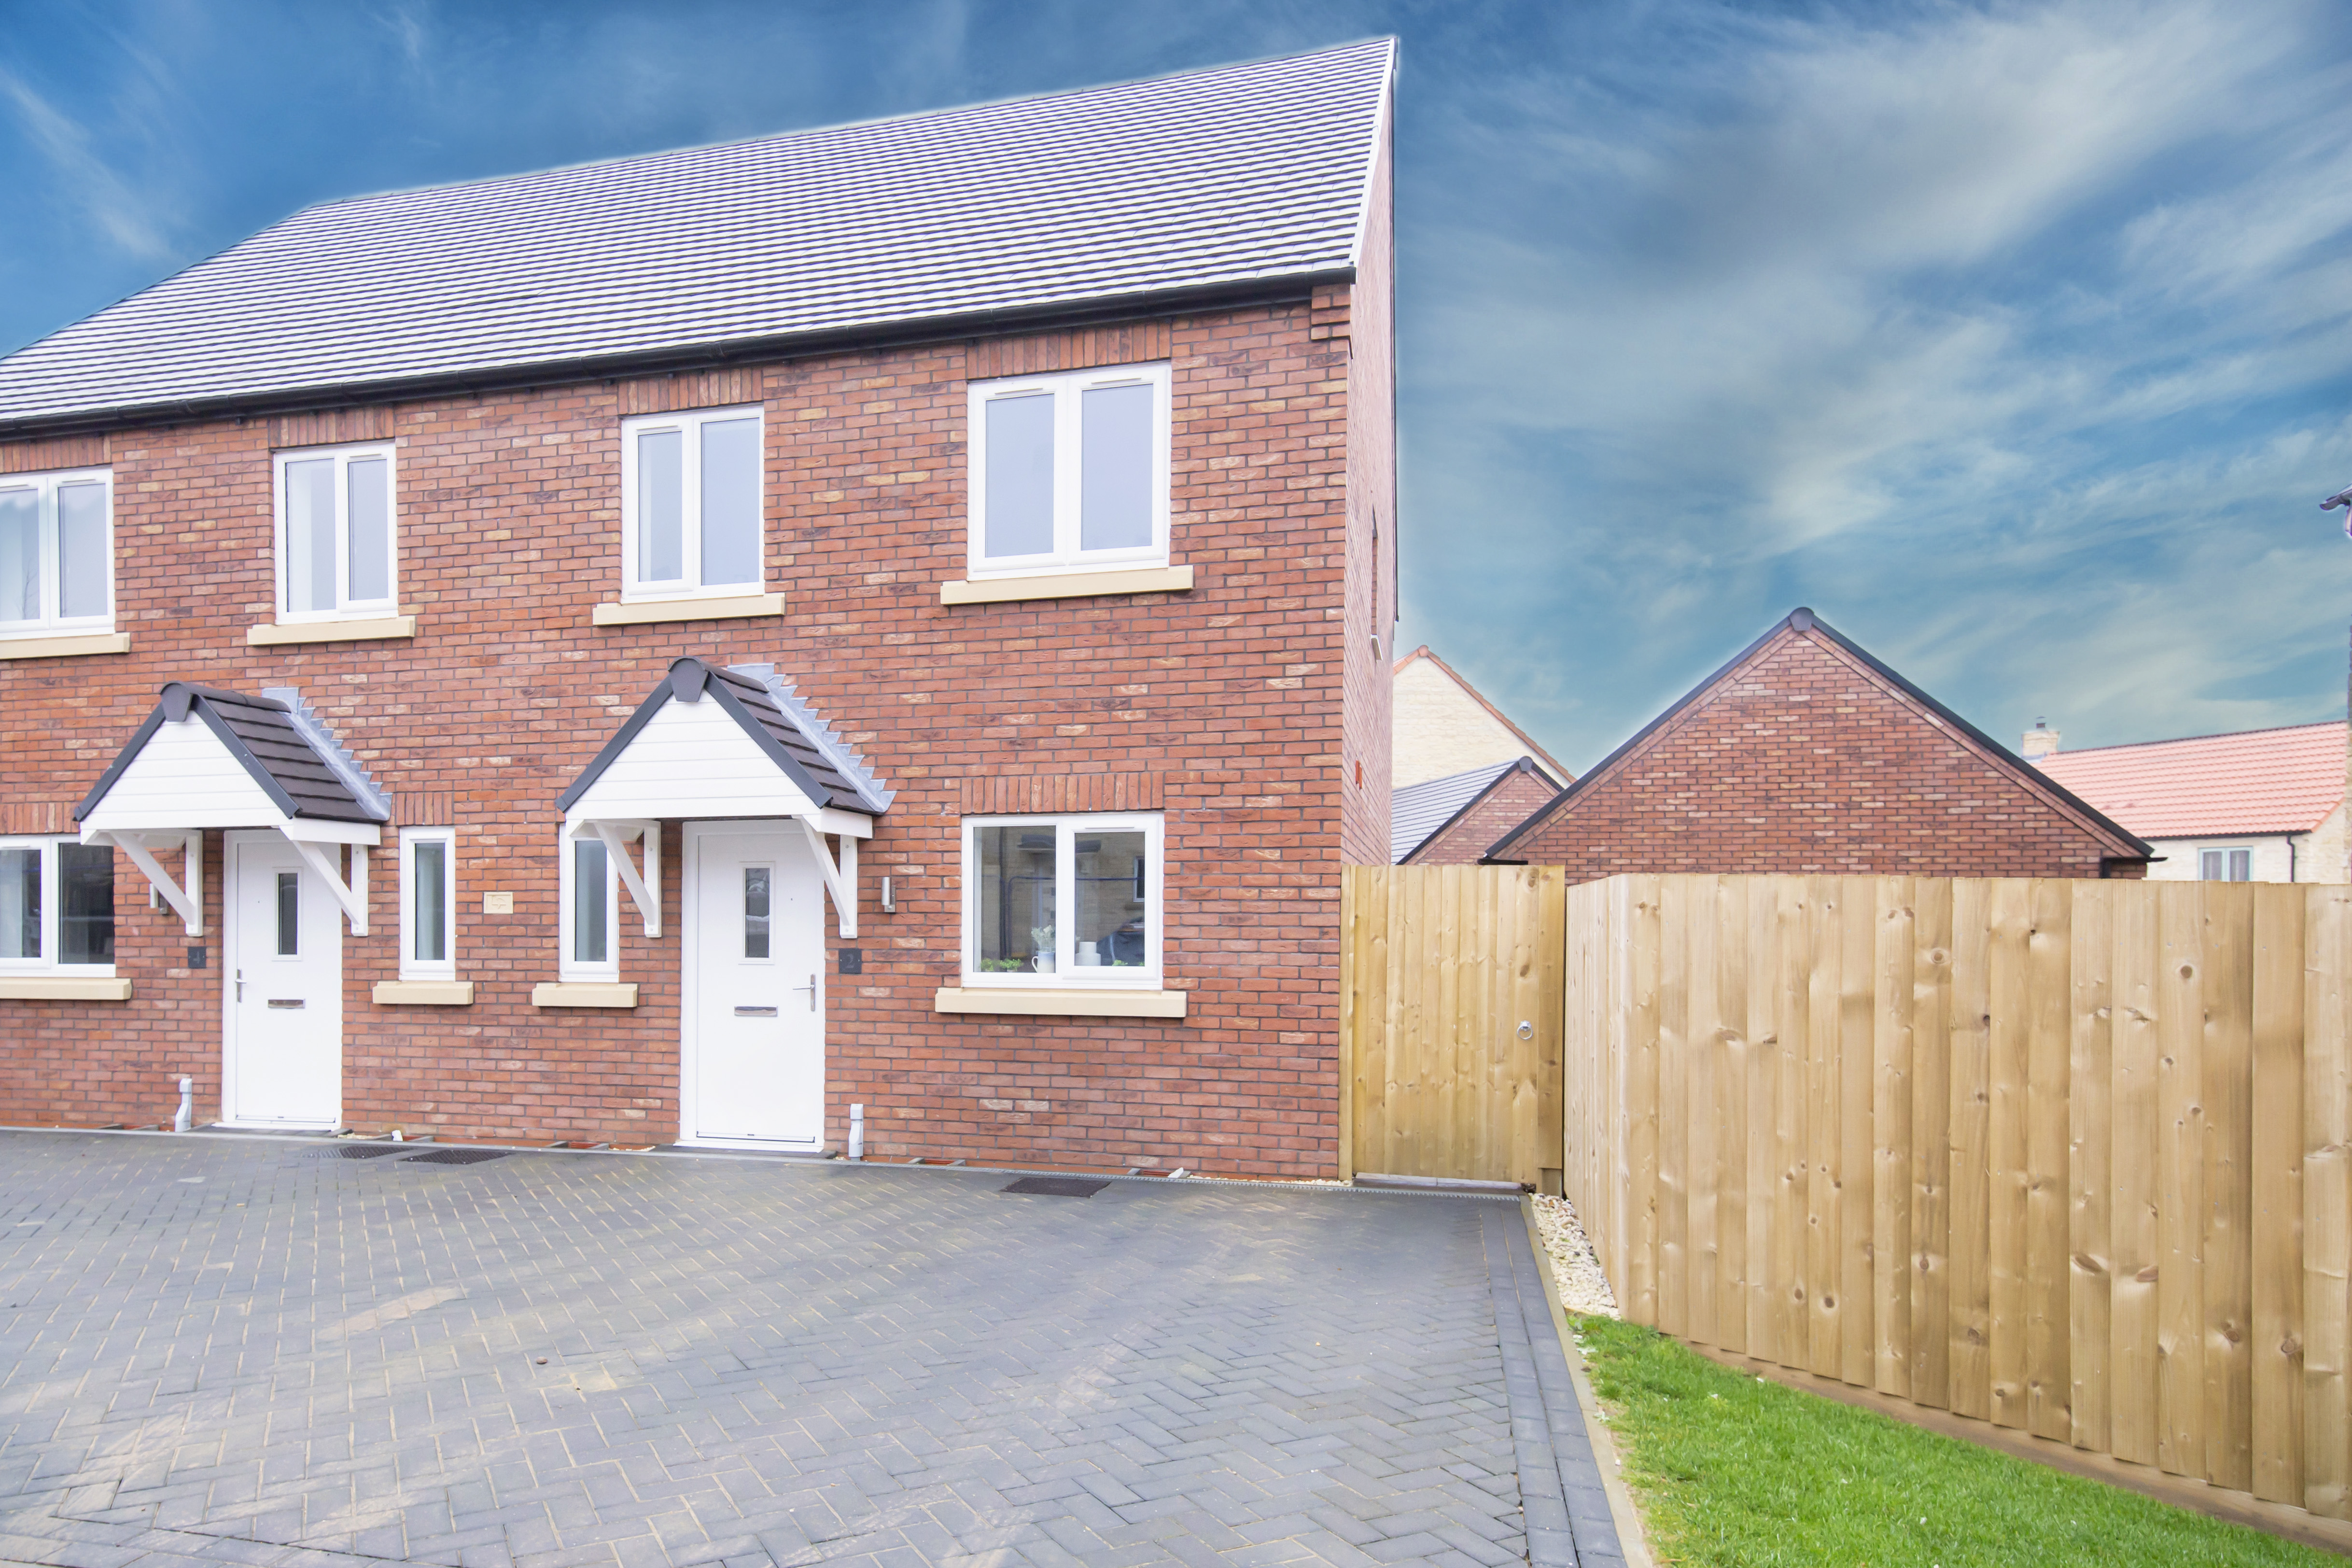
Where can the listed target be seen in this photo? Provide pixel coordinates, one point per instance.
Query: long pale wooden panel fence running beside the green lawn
(2059, 1155)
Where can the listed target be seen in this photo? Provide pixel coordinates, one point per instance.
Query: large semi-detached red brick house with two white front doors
(688, 645)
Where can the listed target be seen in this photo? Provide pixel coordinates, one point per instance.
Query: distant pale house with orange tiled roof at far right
(2259, 805)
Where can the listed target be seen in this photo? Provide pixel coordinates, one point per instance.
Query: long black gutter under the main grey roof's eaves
(688, 359)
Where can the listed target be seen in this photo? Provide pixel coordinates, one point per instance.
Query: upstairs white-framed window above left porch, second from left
(335, 535)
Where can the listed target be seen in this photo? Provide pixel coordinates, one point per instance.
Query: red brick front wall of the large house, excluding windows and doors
(1227, 697)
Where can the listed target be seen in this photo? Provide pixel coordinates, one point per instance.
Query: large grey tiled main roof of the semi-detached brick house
(1140, 192)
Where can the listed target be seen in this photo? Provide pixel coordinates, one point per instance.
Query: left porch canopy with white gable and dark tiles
(232, 760)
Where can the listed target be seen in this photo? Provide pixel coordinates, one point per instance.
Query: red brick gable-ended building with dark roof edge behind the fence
(1810, 756)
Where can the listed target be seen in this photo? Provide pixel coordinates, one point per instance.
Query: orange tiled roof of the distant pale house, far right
(2252, 782)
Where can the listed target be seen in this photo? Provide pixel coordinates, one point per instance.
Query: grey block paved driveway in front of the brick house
(260, 1353)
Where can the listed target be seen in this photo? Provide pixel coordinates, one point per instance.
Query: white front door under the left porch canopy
(283, 946)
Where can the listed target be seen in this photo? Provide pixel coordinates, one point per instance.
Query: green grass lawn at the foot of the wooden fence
(1742, 1473)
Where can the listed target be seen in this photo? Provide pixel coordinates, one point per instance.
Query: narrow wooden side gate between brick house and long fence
(1450, 1021)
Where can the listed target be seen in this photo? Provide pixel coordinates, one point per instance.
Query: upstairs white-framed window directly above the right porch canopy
(690, 504)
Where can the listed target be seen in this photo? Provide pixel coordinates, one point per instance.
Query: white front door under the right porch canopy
(754, 1068)
